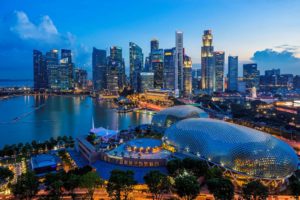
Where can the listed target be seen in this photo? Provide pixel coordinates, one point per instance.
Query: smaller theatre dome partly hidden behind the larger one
(169, 116)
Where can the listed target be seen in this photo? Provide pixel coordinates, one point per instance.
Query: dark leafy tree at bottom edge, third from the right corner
(221, 188)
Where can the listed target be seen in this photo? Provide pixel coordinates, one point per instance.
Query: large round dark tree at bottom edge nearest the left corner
(26, 187)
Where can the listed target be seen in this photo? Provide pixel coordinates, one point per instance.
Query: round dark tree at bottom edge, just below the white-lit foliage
(187, 186)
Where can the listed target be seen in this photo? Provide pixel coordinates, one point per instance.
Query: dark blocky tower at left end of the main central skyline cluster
(99, 64)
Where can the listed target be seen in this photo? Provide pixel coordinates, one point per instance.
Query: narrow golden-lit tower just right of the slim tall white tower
(187, 76)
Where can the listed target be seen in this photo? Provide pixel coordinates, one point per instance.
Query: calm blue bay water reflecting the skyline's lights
(28, 118)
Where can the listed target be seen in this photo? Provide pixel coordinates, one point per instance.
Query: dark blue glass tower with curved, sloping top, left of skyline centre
(136, 58)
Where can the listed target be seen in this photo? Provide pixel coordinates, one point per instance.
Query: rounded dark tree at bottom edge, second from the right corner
(255, 190)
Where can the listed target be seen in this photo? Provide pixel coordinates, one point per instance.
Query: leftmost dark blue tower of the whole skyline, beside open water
(39, 71)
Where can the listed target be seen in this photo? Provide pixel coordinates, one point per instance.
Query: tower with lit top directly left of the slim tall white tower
(169, 79)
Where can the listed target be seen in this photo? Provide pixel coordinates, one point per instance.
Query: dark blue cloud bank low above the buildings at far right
(283, 57)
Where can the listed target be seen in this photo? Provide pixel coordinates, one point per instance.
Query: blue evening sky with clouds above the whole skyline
(264, 31)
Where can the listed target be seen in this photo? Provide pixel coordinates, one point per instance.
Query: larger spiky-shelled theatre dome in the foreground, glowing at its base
(236, 148)
